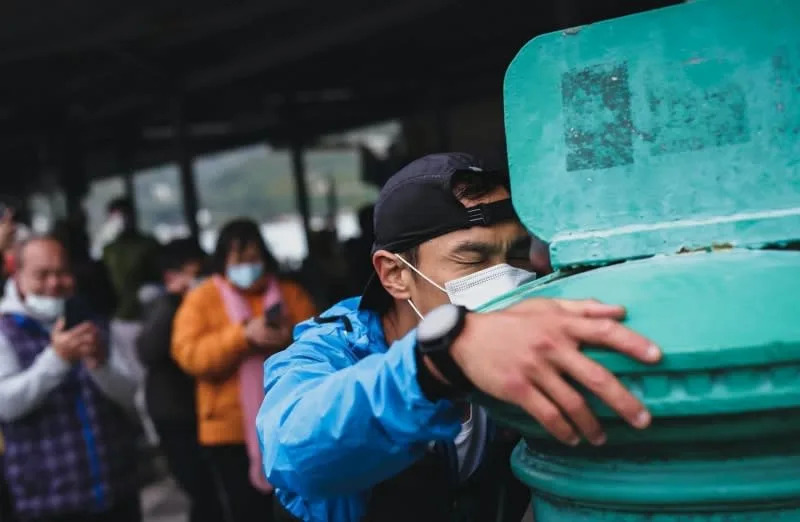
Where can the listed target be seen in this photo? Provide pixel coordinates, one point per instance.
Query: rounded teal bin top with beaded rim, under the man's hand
(729, 329)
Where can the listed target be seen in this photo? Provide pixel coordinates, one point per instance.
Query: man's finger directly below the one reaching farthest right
(602, 383)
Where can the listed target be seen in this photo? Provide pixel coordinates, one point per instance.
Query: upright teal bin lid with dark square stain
(669, 129)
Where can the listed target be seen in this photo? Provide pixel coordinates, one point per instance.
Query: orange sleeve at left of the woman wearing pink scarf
(201, 351)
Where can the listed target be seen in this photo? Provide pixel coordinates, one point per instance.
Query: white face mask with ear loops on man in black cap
(474, 290)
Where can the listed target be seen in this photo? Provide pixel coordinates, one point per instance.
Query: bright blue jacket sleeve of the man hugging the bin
(328, 427)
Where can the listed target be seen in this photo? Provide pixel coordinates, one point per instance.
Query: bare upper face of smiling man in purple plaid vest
(43, 270)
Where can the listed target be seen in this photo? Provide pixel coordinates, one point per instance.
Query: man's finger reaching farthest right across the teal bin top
(611, 334)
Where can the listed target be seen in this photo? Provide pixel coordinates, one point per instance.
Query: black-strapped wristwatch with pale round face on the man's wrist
(435, 335)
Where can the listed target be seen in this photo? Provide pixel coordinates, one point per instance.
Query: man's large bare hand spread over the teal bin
(523, 354)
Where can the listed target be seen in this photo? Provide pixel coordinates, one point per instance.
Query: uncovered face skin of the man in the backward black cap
(465, 252)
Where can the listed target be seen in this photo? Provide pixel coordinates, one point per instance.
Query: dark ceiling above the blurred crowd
(101, 83)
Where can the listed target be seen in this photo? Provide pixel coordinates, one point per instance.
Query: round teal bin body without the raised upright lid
(725, 440)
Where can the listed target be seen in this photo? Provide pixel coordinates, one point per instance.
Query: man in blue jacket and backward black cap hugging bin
(364, 417)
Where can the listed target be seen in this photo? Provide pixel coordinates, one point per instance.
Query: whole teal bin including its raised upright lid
(659, 154)
